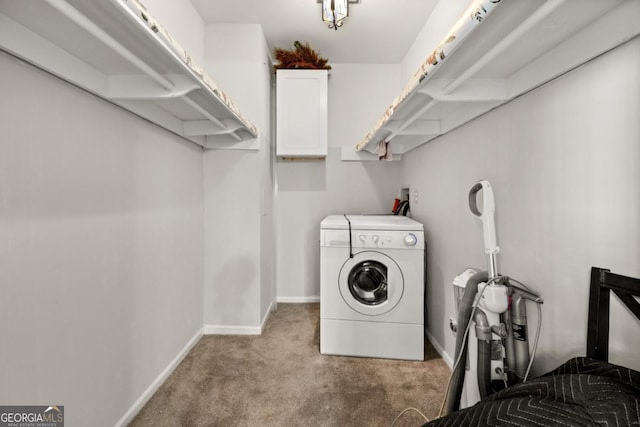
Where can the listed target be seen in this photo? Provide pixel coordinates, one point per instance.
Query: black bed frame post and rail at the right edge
(602, 283)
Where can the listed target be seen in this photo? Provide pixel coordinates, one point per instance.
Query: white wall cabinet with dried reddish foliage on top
(301, 113)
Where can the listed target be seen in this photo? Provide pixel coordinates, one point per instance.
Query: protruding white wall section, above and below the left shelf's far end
(239, 187)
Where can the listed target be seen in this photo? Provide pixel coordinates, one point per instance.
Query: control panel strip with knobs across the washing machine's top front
(374, 239)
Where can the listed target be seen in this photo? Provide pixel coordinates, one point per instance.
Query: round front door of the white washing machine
(371, 283)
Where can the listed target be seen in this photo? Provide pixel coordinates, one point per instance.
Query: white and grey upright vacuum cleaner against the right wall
(492, 348)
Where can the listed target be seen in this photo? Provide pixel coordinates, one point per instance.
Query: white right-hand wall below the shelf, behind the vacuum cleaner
(563, 162)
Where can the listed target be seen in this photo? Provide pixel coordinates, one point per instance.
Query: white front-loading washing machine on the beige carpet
(372, 286)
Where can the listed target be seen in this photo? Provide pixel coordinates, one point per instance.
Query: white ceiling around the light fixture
(376, 31)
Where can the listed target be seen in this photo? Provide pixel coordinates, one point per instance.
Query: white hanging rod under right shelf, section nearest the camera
(545, 10)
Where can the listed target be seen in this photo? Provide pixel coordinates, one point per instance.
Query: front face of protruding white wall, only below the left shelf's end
(232, 246)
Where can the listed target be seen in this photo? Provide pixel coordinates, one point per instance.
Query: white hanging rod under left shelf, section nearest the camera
(70, 12)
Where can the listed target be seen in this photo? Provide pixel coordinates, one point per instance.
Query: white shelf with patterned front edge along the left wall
(116, 50)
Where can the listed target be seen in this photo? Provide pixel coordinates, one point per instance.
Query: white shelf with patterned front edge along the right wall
(481, 64)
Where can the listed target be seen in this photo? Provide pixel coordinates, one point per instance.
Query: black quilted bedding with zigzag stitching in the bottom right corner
(581, 392)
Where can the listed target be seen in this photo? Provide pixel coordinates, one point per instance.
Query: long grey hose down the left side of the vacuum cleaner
(464, 317)
